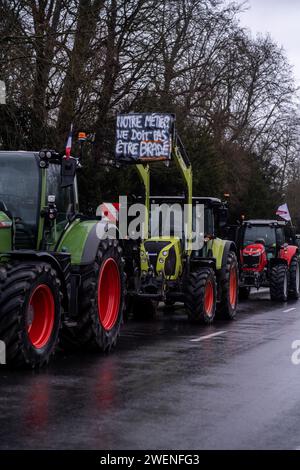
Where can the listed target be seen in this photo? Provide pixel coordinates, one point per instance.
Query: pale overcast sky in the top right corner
(280, 18)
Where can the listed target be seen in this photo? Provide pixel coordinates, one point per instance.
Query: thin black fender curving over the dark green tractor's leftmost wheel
(62, 271)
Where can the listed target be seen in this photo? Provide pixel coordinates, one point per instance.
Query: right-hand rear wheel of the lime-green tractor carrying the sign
(227, 307)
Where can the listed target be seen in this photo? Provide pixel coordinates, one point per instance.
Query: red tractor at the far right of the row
(269, 257)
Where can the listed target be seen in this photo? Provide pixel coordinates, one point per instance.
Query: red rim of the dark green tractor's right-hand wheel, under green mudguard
(109, 293)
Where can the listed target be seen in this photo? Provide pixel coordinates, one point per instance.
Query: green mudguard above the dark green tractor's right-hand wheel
(82, 239)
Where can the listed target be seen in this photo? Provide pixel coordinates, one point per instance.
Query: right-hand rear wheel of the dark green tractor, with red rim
(100, 302)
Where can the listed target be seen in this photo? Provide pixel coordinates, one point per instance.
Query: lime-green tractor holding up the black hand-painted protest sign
(170, 267)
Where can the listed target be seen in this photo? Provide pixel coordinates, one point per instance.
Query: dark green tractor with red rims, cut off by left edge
(60, 280)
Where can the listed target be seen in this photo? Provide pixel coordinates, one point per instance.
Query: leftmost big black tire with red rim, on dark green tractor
(30, 313)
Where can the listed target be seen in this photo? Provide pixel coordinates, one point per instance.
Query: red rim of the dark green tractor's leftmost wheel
(41, 313)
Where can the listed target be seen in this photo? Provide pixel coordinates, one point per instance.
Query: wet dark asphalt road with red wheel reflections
(168, 385)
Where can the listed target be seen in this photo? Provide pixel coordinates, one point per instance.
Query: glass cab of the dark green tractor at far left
(28, 194)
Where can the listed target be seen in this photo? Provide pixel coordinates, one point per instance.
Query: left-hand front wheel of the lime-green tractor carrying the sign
(201, 296)
